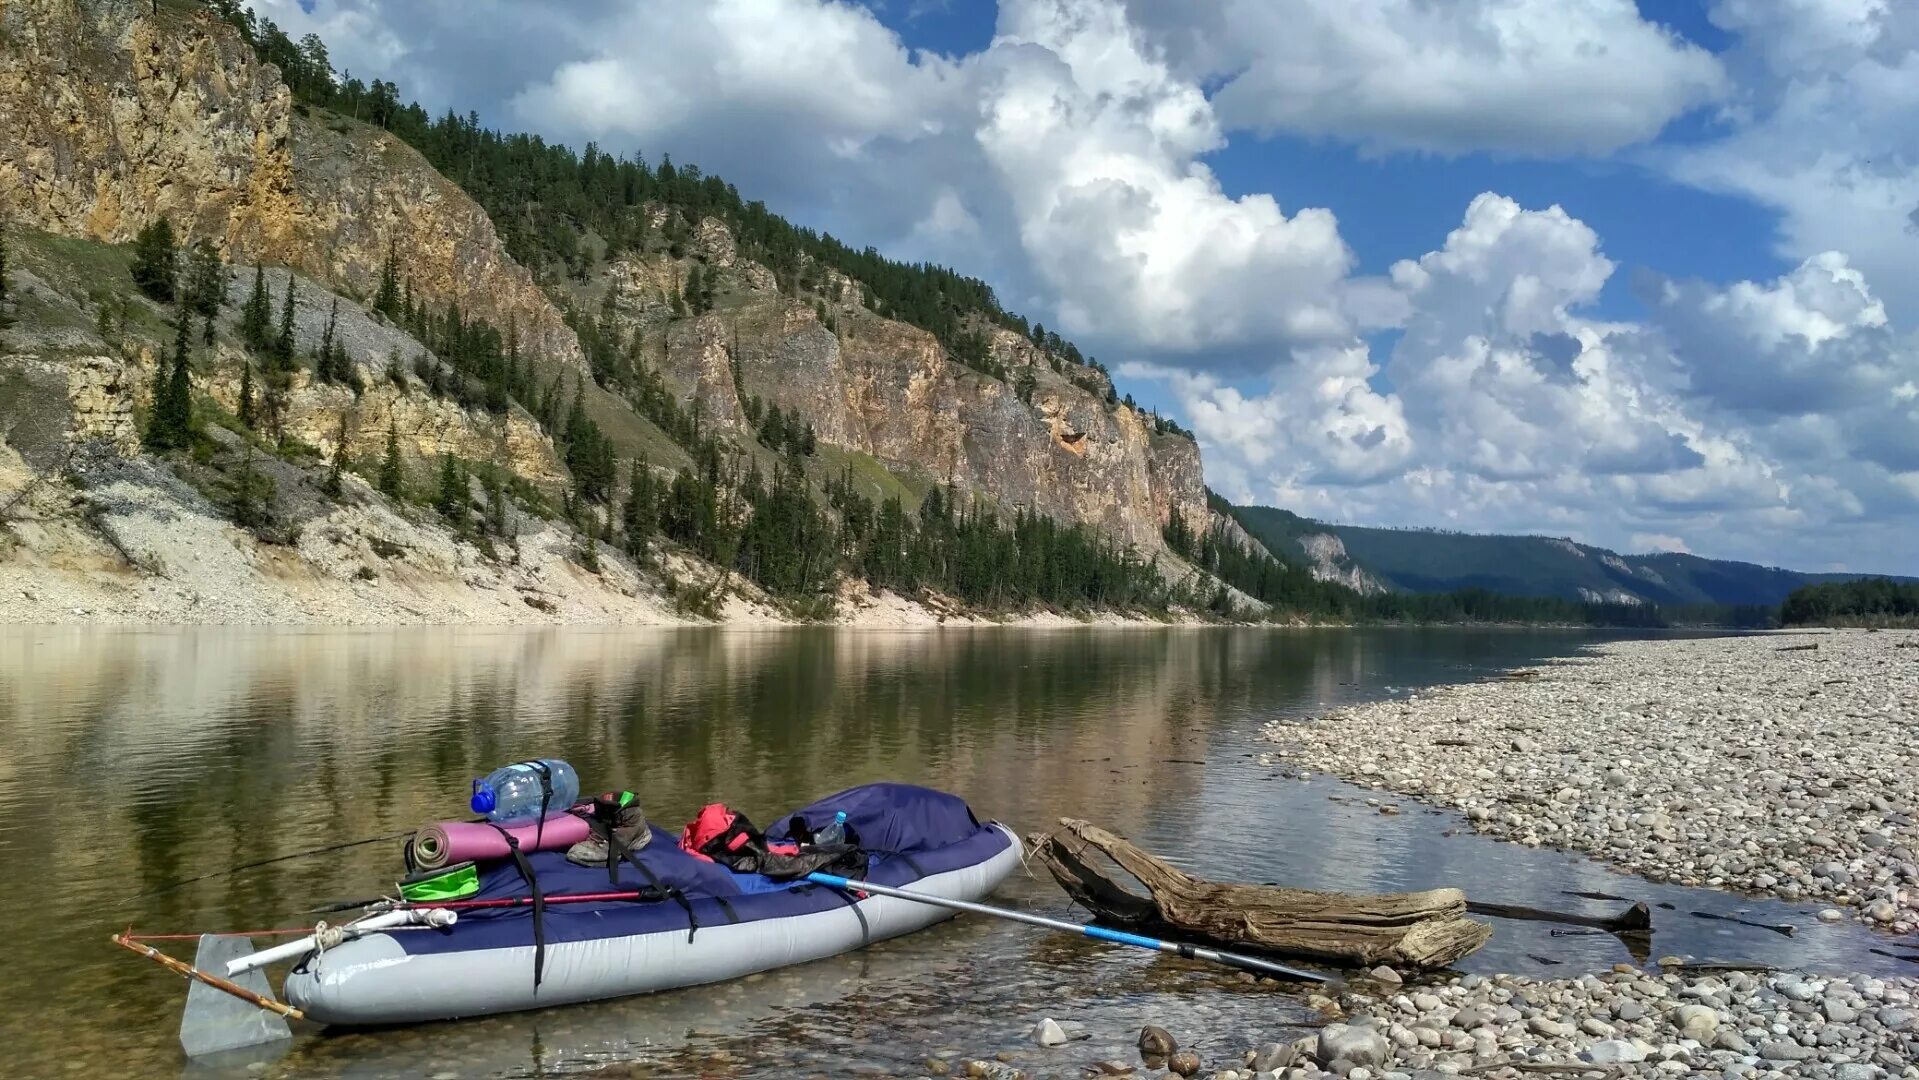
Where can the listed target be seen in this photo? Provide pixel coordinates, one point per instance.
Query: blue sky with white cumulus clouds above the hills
(1640, 275)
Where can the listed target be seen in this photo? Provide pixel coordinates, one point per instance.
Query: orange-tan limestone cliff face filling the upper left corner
(116, 118)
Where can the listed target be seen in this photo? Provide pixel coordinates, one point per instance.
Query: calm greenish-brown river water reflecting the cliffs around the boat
(137, 759)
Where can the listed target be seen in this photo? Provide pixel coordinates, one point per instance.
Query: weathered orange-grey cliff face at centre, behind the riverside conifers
(889, 390)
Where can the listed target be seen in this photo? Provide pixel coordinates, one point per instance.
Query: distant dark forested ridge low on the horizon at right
(1425, 561)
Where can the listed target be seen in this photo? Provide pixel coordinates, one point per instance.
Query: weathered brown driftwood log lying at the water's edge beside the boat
(1402, 929)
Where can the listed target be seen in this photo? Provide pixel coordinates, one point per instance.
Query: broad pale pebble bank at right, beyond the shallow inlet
(1782, 764)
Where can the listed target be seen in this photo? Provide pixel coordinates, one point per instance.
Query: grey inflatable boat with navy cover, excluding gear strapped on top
(723, 926)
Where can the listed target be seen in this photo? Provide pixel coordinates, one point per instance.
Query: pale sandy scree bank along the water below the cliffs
(137, 548)
